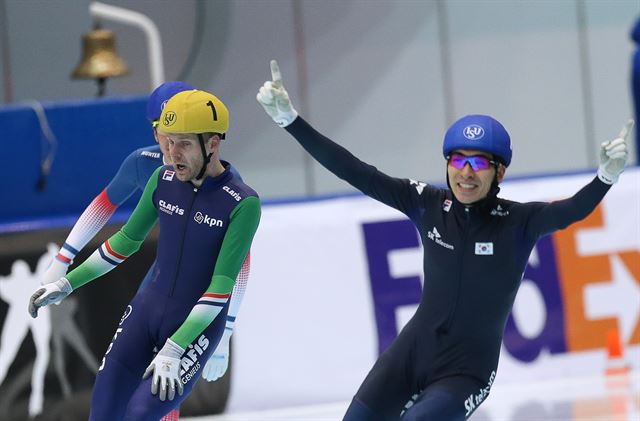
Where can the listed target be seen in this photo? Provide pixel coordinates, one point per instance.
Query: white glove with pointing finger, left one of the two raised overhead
(275, 99)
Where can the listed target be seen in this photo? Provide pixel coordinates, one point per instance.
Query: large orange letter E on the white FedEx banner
(576, 272)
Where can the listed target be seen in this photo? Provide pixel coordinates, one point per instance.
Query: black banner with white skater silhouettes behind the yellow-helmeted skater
(48, 364)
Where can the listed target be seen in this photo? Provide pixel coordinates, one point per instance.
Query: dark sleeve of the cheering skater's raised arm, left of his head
(401, 194)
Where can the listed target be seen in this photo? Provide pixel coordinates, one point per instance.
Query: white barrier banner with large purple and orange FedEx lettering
(332, 281)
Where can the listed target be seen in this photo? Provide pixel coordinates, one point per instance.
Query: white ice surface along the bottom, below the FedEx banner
(603, 398)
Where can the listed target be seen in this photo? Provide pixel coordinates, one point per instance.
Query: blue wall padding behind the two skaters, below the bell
(94, 136)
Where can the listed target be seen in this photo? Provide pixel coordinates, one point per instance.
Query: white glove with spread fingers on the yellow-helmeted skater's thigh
(166, 371)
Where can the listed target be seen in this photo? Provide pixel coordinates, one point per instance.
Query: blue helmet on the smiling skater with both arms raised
(481, 133)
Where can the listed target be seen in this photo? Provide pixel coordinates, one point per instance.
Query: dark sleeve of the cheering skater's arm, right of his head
(549, 217)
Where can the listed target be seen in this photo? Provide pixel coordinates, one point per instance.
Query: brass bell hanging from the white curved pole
(99, 57)
